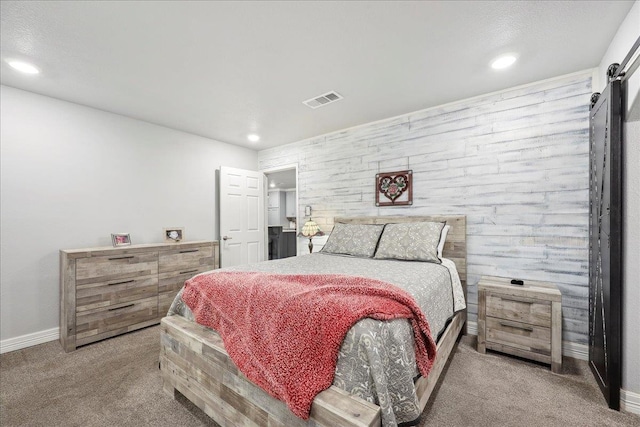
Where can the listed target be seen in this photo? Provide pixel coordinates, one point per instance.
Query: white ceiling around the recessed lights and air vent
(226, 69)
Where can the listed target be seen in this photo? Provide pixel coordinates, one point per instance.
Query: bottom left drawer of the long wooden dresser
(92, 325)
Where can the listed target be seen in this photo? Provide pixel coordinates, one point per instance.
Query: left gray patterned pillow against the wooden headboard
(353, 239)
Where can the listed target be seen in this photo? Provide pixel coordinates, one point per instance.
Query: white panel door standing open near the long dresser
(242, 217)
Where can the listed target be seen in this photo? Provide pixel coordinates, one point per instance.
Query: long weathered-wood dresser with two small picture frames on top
(108, 291)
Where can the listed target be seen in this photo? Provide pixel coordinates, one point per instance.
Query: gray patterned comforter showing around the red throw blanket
(377, 358)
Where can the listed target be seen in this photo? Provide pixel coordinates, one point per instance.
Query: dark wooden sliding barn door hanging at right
(605, 242)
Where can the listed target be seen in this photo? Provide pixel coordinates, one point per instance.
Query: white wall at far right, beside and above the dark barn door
(627, 34)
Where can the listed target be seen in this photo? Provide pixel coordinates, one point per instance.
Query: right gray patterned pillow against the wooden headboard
(412, 241)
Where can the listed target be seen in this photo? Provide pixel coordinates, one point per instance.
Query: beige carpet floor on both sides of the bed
(116, 382)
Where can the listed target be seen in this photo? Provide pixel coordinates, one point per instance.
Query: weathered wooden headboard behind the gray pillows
(455, 247)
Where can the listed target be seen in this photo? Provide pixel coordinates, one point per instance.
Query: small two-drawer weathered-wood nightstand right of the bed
(524, 321)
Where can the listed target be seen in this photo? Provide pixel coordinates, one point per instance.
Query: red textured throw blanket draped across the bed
(284, 332)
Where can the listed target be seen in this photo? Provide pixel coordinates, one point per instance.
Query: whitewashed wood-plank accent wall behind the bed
(515, 162)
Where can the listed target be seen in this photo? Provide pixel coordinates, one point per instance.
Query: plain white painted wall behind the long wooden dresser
(72, 175)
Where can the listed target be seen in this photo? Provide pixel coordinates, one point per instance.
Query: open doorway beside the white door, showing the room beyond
(282, 211)
